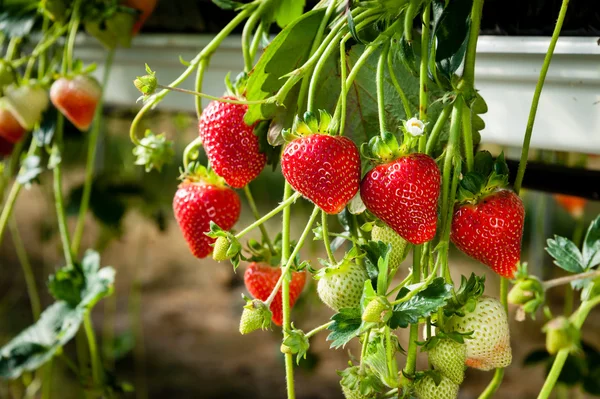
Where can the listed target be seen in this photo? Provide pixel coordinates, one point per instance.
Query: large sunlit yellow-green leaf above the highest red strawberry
(280, 58)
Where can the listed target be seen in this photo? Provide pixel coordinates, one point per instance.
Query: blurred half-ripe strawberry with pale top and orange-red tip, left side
(76, 98)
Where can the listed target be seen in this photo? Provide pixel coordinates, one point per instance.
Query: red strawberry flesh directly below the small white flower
(404, 194)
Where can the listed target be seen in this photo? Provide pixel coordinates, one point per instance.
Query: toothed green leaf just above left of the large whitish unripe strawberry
(422, 304)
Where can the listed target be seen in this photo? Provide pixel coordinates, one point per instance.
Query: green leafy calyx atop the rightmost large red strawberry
(487, 177)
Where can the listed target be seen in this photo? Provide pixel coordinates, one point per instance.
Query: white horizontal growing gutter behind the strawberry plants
(507, 70)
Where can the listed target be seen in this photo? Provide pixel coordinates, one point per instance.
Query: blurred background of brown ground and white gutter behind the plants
(171, 328)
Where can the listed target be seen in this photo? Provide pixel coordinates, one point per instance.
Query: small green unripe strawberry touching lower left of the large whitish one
(448, 357)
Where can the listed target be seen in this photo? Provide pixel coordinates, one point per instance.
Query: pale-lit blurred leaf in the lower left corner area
(77, 289)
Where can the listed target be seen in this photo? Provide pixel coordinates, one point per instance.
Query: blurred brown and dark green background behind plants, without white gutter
(172, 323)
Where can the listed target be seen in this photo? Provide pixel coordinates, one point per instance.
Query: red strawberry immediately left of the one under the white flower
(325, 169)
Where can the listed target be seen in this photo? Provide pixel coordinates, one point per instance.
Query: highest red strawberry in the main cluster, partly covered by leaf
(230, 144)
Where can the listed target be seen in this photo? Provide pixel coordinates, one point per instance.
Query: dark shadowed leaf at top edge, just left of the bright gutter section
(451, 32)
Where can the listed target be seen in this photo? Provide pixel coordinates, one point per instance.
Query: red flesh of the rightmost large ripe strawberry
(491, 231)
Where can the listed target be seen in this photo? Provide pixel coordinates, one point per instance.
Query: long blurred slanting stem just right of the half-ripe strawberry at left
(91, 158)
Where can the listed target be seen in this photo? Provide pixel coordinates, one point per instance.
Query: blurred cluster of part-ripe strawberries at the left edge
(22, 106)
